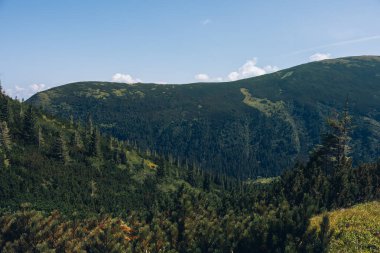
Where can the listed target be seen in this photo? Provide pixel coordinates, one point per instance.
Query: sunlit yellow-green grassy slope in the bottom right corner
(356, 229)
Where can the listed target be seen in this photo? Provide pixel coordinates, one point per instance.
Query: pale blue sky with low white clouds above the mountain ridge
(45, 43)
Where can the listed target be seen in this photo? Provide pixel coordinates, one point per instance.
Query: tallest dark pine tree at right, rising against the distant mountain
(330, 167)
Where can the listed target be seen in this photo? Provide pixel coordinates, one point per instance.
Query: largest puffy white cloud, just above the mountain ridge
(250, 69)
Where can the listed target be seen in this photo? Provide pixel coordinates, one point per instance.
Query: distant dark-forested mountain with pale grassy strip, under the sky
(251, 127)
